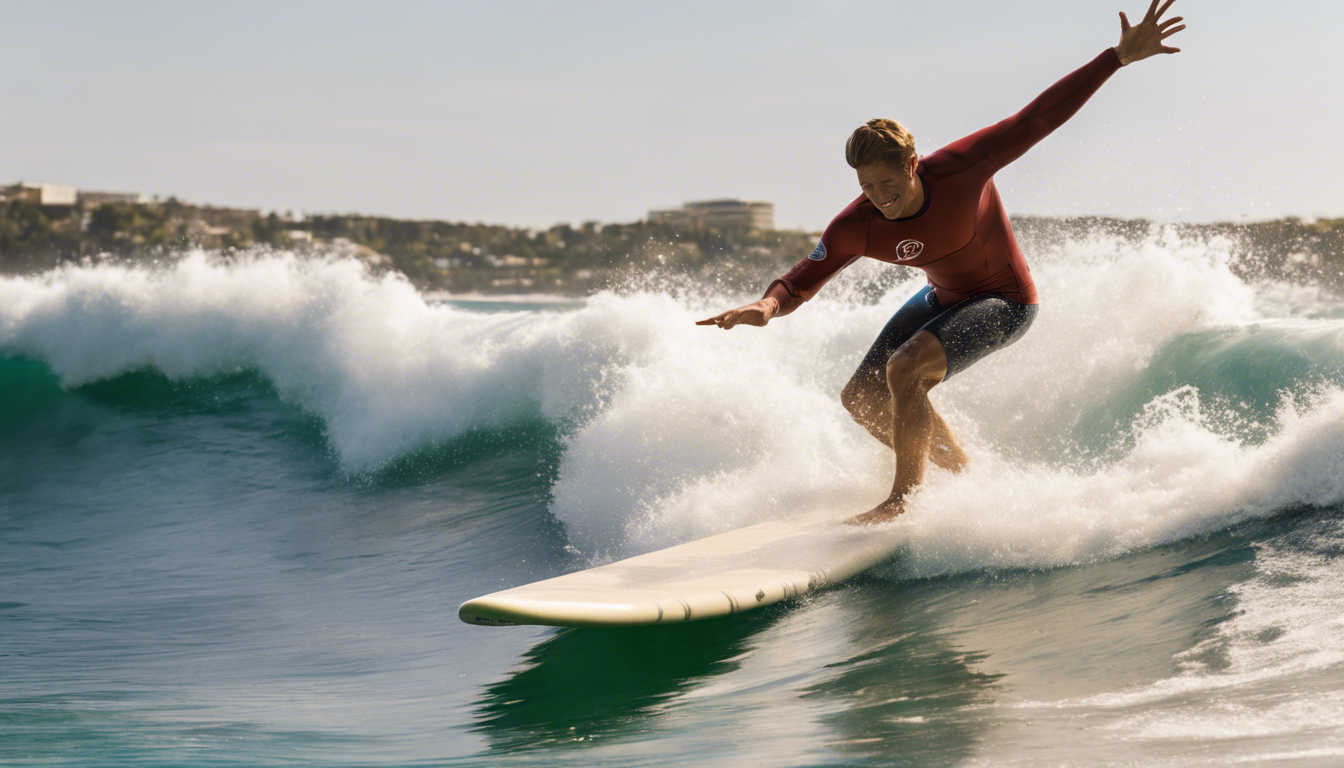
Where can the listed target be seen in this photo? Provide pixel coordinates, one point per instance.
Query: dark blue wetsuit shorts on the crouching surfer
(968, 330)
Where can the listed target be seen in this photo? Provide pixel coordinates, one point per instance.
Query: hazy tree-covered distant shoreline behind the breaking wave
(448, 262)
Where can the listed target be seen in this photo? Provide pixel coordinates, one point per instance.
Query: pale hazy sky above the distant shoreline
(534, 114)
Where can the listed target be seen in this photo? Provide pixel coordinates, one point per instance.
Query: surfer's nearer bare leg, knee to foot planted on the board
(913, 371)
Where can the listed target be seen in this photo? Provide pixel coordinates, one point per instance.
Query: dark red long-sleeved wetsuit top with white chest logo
(960, 237)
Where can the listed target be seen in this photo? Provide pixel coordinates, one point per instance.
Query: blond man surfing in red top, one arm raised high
(940, 213)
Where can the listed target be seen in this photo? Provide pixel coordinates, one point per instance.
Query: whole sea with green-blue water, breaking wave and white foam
(243, 498)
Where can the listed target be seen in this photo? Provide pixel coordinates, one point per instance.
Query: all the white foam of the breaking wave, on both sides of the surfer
(677, 431)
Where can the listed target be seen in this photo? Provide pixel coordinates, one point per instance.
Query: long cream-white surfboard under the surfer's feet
(728, 574)
